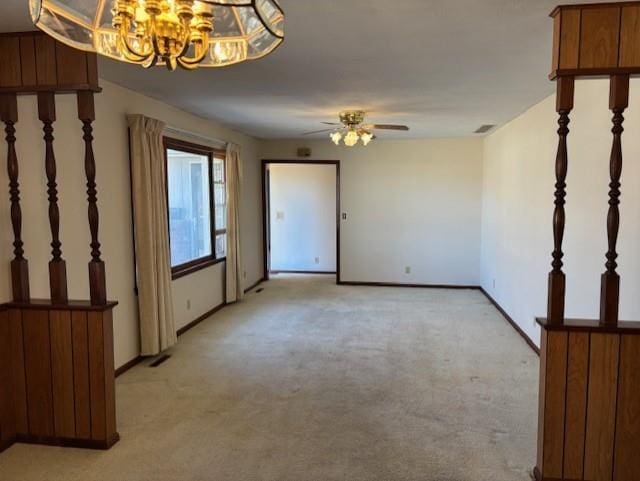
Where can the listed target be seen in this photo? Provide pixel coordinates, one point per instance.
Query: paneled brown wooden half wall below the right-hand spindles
(589, 423)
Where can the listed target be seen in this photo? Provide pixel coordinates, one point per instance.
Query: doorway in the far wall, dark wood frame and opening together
(301, 209)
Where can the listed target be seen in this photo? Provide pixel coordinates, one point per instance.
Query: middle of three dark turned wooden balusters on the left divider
(57, 265)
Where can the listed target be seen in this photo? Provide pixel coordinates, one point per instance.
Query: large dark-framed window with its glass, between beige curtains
(197, 203)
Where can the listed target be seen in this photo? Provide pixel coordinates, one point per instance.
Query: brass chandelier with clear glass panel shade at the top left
(185, 33)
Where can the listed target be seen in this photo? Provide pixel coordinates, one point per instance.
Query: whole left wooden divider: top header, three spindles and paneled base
(57, 381)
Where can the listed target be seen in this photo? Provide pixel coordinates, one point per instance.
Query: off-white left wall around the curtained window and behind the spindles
(112, 157)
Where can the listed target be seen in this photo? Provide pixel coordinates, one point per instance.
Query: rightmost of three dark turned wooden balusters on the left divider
(97, 279)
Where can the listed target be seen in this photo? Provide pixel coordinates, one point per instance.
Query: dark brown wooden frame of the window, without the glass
(195, 265)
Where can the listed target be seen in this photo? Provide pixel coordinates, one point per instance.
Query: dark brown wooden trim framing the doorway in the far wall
(266, 213)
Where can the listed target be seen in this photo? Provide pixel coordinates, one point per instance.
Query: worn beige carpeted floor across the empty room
(309, 381)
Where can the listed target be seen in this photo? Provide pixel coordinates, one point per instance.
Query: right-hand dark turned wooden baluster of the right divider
(610, 282)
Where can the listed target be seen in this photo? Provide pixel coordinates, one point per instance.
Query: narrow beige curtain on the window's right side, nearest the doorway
(235, 290)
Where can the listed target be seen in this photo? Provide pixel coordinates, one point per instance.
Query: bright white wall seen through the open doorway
(303, 217)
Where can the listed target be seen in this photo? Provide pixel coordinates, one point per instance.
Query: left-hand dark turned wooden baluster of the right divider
(557, 280)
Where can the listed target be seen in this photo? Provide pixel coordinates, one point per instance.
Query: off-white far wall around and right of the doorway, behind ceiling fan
(411, 203)
